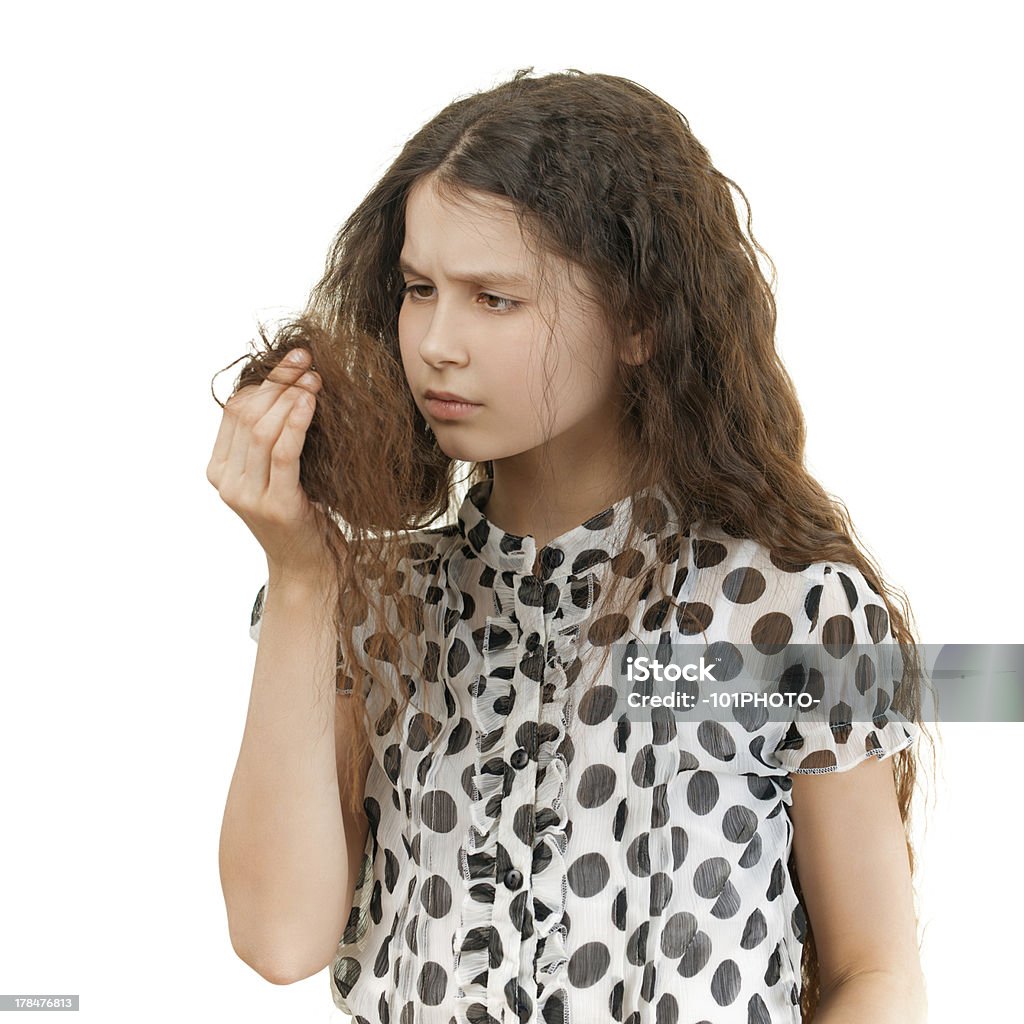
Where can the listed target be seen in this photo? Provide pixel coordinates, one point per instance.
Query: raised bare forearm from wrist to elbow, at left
(284, 861)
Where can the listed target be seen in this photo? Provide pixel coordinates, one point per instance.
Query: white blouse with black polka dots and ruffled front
(560, 864)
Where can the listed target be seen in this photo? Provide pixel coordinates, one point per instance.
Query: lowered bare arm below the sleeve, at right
(851, 856)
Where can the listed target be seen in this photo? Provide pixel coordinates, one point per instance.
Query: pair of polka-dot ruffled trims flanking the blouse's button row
(493, 696)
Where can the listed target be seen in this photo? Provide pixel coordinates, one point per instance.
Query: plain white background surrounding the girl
(174, 173)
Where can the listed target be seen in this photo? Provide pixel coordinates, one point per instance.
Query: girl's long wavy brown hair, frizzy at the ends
(607, 177)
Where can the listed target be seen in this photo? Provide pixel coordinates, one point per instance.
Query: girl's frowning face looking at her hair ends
(473, 324)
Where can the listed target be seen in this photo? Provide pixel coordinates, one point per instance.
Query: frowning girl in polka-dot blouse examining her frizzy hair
(441, 767)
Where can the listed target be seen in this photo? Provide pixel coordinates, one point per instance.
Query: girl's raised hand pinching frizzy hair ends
(255, 467)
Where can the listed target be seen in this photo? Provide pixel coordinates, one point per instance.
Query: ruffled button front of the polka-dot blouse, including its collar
(522, 705)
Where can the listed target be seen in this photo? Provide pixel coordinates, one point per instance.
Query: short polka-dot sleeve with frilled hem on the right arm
(852, 672)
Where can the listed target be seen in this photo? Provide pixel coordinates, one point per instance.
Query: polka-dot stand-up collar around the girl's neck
(601, 539)
